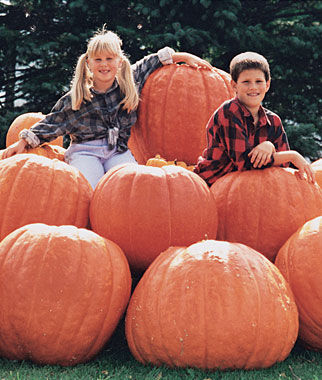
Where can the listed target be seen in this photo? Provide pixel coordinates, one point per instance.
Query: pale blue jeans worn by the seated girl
(93, 159)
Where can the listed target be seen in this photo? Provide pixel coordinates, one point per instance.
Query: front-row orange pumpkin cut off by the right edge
(300, 261)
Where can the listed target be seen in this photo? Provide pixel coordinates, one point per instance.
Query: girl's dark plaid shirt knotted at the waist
(102, 117)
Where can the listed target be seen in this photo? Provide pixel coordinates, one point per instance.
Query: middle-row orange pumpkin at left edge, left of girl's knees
(36, 189)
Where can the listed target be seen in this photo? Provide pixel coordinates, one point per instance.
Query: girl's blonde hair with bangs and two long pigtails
(109, 42)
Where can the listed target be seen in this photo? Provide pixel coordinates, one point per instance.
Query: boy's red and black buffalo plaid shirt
(231, 135)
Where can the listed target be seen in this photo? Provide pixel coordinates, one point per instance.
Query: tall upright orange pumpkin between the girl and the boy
(176, 104)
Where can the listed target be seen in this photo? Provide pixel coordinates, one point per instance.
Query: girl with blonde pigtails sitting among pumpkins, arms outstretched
(99, 110)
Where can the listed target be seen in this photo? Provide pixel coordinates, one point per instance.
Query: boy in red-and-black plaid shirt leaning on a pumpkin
(242, 134)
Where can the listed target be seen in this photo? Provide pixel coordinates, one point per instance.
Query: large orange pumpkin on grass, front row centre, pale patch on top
(212, 305)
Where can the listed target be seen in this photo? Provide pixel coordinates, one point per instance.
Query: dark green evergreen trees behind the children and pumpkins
(41, 41)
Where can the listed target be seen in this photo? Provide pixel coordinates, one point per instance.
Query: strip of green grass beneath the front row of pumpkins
(116, 362)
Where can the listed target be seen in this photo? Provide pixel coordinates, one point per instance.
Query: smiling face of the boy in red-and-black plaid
(251, 88)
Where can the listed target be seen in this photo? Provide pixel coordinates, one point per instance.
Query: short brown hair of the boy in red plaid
(246, 61)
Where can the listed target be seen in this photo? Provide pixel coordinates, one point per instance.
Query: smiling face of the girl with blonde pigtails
(104, 67)
